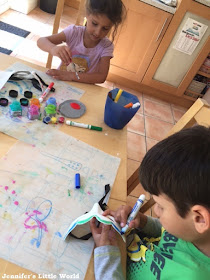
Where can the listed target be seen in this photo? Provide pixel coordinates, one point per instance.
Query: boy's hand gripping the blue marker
(121, 216)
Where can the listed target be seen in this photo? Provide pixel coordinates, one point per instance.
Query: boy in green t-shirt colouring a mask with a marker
(176, 171)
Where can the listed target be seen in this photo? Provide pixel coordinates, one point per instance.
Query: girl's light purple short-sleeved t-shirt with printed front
(87, 58)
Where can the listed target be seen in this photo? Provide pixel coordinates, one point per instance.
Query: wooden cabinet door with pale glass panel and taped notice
(172, 71)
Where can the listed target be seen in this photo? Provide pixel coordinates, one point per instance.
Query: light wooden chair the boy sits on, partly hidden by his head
(198, 113)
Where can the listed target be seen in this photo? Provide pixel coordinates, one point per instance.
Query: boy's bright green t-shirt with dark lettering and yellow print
(173, 258)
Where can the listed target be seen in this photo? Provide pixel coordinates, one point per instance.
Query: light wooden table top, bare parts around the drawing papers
(111, 141)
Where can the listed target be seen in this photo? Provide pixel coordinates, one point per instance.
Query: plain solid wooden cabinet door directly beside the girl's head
(137, 39)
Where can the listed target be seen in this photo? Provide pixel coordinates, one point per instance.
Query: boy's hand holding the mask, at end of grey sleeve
(103, 235)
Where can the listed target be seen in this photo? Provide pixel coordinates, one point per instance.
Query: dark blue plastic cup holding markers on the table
(115, 114)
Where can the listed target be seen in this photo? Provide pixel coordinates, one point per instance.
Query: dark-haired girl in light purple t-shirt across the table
(88, 52)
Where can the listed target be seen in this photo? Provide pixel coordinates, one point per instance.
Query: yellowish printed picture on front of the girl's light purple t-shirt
(79, 63)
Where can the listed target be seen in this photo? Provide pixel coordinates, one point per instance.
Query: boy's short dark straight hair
(179, 167)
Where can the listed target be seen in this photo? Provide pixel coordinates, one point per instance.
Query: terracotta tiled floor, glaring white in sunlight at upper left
(152, 121)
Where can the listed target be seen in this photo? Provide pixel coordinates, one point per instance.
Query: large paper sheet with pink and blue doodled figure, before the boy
(35, 206)
